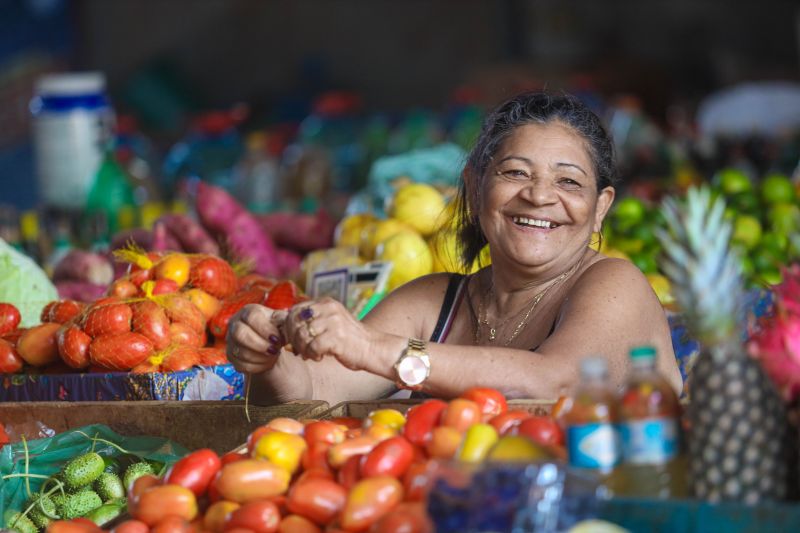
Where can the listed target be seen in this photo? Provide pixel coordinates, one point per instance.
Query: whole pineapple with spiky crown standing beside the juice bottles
(737, 421)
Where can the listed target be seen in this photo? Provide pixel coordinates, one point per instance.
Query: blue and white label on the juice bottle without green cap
(593, 445)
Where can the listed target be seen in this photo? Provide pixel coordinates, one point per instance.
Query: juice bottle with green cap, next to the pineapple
(649, 415)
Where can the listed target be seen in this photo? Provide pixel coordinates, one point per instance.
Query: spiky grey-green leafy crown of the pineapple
(705, 273)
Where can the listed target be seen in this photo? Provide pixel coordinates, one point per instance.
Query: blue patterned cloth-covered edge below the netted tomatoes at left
(220, 382)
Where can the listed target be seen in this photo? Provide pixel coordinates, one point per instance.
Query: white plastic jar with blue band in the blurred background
(72, 124)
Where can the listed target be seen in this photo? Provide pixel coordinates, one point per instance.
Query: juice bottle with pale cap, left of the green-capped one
(592, 436)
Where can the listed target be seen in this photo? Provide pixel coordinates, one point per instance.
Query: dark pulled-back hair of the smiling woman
(523, 109)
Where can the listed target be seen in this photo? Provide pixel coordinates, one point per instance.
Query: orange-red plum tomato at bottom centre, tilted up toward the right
(369, 501)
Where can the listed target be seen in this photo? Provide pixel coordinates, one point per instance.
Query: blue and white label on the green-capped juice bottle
(649, 441)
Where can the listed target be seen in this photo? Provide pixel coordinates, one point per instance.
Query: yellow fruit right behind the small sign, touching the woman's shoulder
(410, 257)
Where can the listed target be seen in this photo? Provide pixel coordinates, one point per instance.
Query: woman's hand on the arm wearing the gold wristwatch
(326, 328)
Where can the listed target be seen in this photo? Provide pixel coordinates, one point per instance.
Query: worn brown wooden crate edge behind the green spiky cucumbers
(219, 425)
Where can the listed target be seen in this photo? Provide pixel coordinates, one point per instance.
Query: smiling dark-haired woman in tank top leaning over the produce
(537, 185)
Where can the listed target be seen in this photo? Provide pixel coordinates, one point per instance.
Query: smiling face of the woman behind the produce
(539, 204)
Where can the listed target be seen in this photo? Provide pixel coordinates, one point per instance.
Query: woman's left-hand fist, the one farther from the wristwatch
(254, 338)
